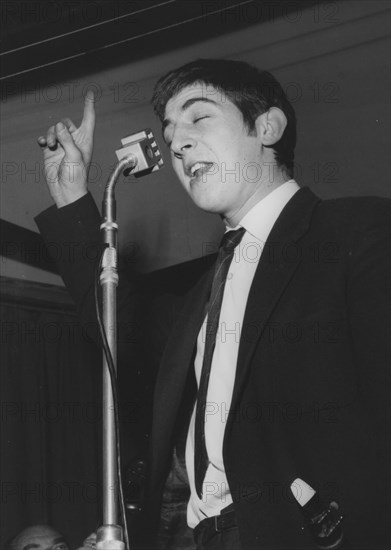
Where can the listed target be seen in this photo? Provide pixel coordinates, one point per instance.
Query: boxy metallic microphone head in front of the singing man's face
(144, 147)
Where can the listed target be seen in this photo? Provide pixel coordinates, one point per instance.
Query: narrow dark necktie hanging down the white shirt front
(225, 254)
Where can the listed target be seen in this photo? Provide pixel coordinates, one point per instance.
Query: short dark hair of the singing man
(252, 91)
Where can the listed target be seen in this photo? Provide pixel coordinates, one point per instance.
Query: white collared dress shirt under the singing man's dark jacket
(258, 223)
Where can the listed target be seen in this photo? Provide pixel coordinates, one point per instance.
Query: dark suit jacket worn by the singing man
(311, 394)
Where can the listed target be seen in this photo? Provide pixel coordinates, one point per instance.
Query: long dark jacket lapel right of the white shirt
(276, 267)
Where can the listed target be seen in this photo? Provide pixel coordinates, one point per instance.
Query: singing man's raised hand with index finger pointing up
(67, 152)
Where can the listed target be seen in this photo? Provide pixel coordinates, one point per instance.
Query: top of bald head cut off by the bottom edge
(39, 537)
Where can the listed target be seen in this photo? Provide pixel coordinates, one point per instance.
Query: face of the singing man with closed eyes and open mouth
(218, 163)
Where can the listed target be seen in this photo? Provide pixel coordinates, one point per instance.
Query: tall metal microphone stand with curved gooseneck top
(110, 534)
